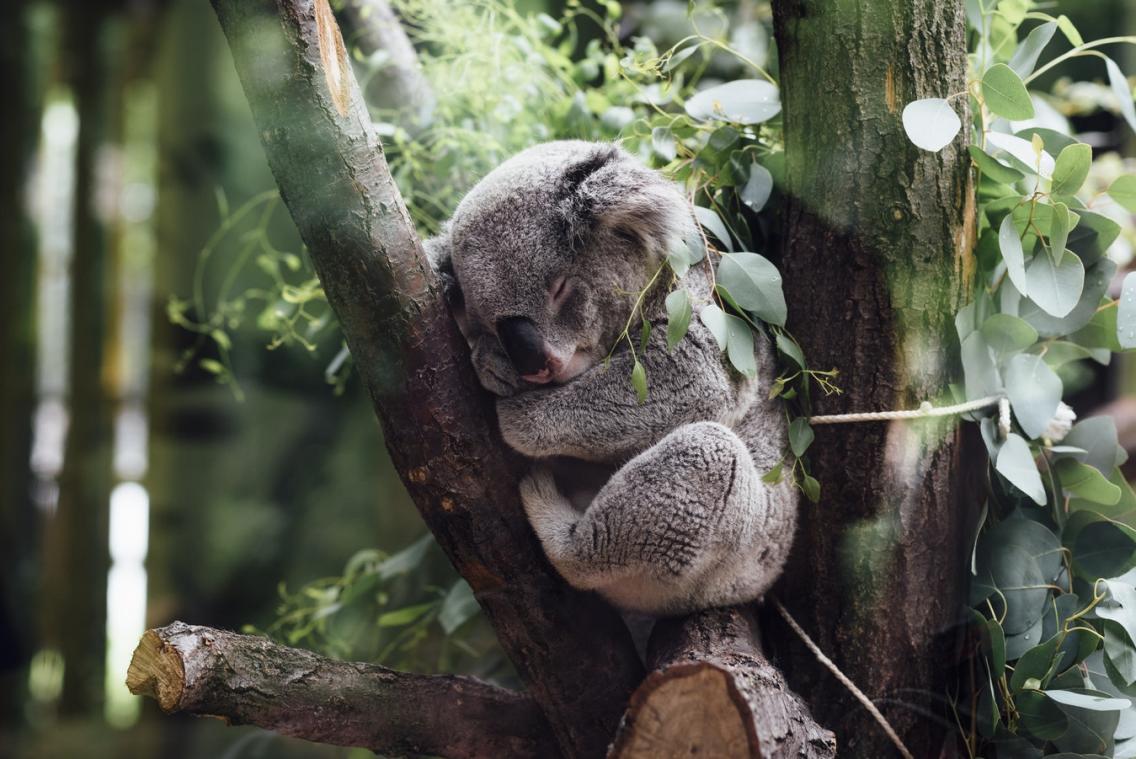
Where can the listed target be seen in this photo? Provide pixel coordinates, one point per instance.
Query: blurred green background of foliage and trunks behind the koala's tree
(181, 435)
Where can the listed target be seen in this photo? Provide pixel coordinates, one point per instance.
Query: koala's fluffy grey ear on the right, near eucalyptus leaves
(611, 191)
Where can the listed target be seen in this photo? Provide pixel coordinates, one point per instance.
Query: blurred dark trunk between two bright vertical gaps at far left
(79, 555)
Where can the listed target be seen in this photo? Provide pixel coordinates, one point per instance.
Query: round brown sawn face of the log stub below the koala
(687, 712)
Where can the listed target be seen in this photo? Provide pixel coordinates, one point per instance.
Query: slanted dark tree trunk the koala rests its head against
(572, 650)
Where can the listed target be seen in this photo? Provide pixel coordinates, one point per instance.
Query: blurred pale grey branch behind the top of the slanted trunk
(400, 85)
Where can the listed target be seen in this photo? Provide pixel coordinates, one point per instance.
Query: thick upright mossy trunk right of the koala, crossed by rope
(878, 261)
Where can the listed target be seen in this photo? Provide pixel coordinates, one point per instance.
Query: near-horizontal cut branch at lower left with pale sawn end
(252, 681)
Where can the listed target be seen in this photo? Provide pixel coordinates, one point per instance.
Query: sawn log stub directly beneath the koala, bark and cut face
(714, 694)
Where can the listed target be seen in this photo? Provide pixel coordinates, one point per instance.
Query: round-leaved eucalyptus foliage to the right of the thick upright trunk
(1055, 563)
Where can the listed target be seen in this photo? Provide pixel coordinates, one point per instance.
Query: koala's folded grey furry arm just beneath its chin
(598, 418)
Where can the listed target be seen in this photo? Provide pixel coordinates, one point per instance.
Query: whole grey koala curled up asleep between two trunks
(657, 506)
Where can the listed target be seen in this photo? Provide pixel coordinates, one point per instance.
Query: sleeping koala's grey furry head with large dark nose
(548, 254)
